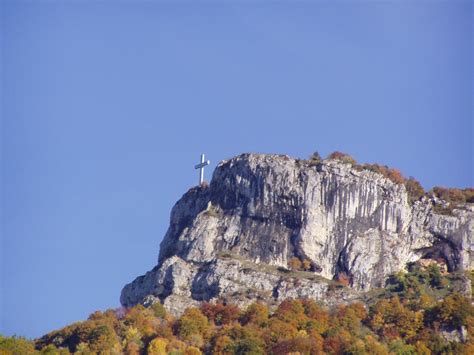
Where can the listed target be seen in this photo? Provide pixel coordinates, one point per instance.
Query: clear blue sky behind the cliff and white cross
(106, 107)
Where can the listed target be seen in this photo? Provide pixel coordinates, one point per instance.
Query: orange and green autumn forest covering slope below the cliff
(406, 318)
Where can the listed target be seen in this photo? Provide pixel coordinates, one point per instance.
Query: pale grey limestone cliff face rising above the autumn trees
(233, 239)
